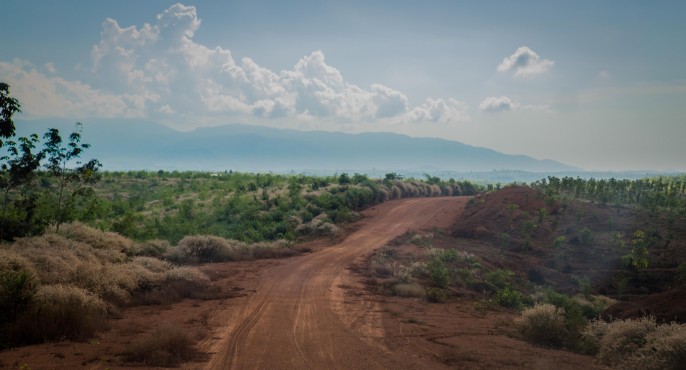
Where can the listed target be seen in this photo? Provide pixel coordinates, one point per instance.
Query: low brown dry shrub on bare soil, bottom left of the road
(168, 345)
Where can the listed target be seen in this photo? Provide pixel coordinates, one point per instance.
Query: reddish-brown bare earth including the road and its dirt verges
(313, 312)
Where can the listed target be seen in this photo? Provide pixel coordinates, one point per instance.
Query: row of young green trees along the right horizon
(651, 194)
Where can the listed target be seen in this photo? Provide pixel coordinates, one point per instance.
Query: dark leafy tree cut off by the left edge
(17, 169)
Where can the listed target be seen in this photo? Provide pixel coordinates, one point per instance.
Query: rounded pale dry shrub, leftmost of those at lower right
(543, 324)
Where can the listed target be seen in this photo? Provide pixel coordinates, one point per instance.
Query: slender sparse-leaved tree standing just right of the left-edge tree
(59, 157)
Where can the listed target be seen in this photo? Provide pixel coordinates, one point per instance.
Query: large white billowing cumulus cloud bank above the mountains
(158, 71)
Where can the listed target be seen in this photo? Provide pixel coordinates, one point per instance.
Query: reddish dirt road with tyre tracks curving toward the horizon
(299, 317)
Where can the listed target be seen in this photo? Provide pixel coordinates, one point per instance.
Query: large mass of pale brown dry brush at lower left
(85, 276)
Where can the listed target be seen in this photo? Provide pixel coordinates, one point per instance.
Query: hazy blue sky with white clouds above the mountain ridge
(596, 84)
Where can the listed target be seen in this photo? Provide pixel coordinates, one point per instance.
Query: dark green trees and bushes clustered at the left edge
(26, 207)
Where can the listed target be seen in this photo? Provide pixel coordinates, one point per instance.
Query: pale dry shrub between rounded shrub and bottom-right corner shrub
(623, 338)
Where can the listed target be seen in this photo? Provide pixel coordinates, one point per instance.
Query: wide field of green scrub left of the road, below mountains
(242, 206)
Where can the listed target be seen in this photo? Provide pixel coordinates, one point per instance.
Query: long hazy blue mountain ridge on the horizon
(132, 145)
